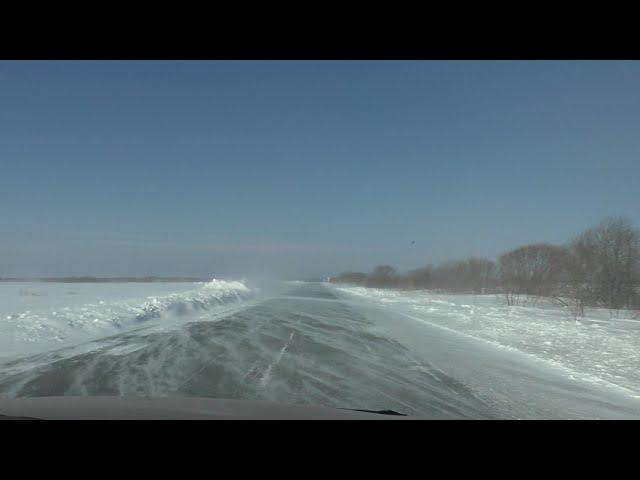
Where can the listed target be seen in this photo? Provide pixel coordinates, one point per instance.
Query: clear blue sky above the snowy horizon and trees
(306, 168)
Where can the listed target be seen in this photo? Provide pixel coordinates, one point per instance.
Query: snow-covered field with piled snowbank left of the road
(37, 316)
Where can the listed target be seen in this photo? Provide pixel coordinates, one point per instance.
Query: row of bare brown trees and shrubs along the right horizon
(599, 267)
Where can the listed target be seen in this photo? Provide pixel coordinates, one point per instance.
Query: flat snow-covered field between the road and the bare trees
(603, 347)
